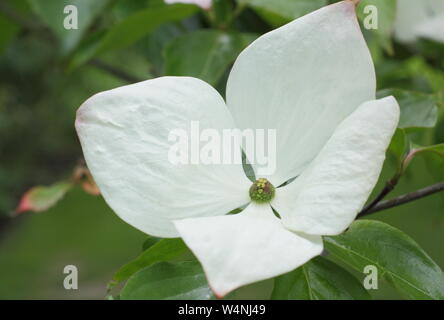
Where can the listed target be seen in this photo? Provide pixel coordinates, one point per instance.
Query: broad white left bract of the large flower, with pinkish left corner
(124, 136)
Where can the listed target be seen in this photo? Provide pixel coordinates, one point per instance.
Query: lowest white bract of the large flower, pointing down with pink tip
(240, 249)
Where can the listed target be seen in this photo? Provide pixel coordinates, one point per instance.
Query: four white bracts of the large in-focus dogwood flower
(313, 81)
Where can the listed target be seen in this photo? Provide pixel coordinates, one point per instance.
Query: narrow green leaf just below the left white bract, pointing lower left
(164, 250)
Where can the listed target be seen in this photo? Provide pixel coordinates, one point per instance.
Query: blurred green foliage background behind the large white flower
(46, 72)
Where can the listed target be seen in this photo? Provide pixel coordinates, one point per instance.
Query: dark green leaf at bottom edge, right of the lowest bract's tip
(319, 279)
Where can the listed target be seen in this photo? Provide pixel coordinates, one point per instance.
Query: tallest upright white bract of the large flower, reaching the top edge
(302, 79)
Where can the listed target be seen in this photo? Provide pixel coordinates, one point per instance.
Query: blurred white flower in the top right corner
(419, 19)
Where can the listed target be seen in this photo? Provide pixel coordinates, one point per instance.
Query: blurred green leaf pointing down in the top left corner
(51, 12)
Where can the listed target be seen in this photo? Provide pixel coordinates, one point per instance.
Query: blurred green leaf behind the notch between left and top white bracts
(204, 54)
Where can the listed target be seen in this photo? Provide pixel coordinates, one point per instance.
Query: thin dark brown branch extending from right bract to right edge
(409, 197)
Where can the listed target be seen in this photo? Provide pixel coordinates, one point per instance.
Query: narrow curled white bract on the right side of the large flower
(325, 198)
